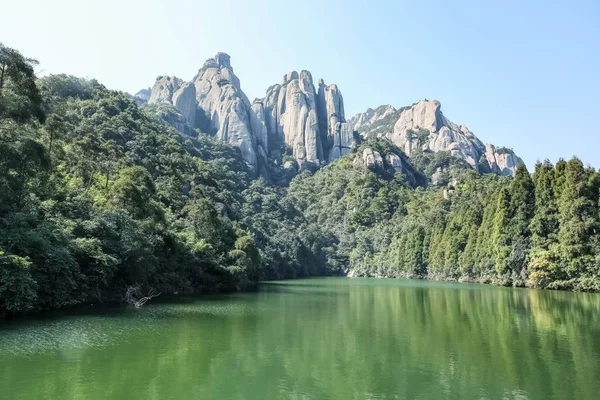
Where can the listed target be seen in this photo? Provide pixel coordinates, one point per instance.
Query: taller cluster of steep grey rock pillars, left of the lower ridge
(292, 115)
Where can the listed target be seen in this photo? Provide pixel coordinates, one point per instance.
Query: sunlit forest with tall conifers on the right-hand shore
(539, 230)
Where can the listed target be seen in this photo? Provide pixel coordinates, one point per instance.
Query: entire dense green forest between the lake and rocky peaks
(100, 197)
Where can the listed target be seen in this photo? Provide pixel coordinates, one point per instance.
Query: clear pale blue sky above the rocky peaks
(523, 74)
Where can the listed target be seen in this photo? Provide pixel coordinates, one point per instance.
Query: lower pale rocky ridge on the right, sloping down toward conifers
(423, 127)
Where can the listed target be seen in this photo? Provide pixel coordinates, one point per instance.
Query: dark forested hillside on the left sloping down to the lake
(99, 198)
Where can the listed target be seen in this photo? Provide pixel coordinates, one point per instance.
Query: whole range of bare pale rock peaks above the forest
(307, 126)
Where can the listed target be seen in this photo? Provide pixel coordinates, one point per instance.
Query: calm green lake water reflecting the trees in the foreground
(333, 338)
